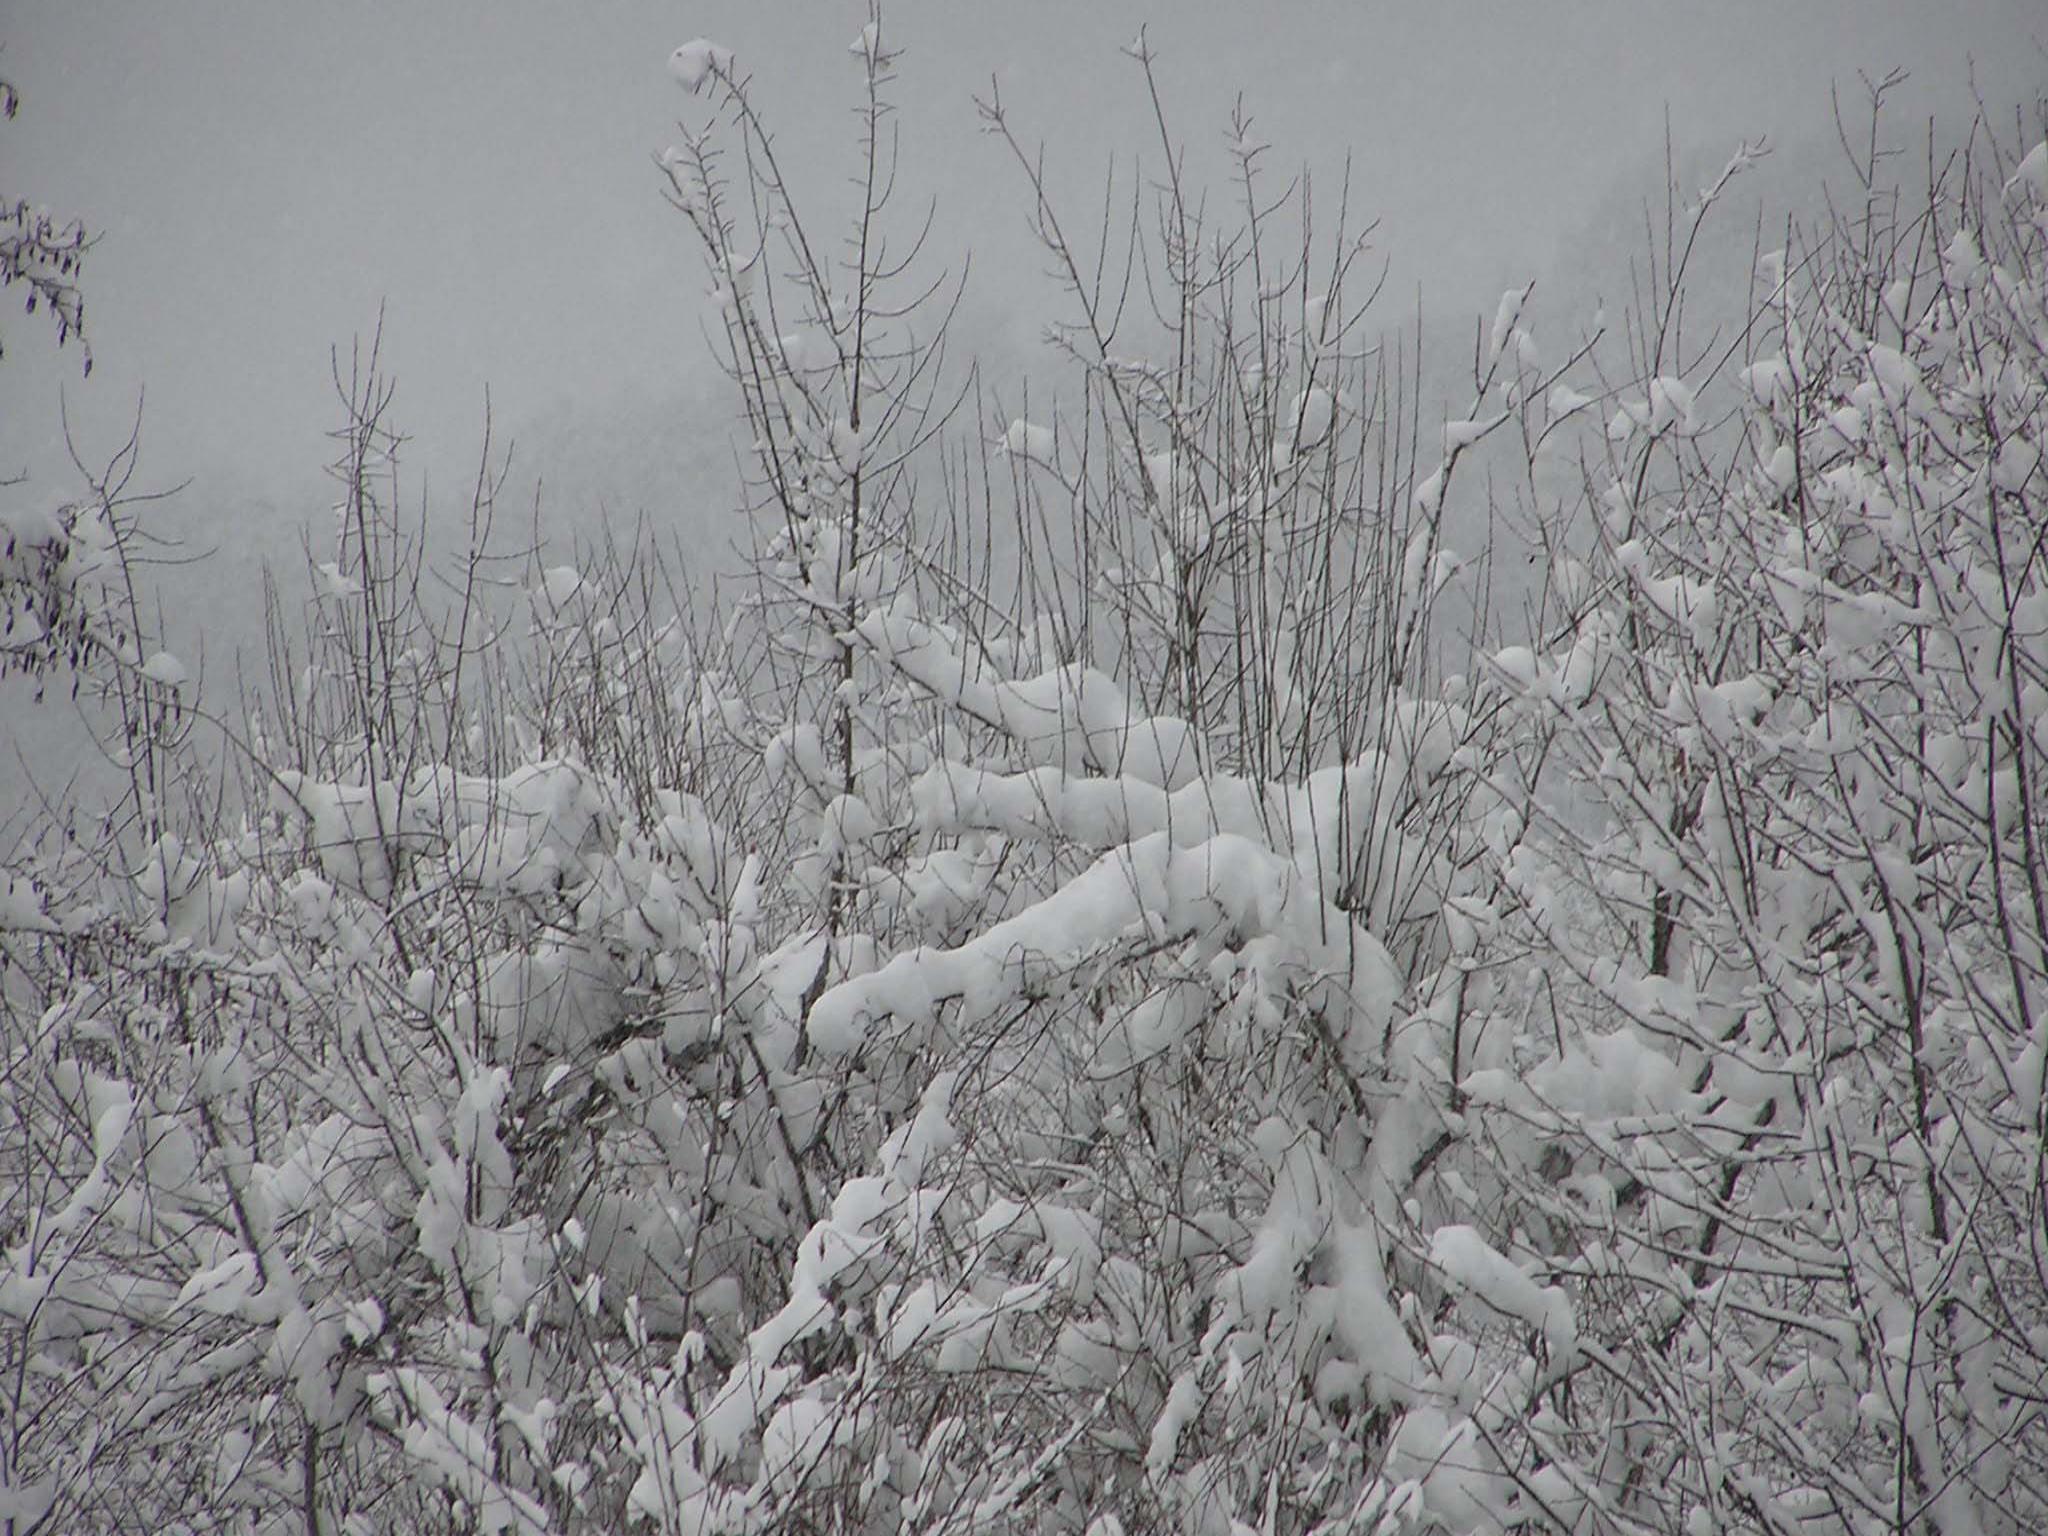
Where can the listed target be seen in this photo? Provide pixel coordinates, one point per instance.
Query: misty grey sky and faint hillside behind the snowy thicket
(267, 179)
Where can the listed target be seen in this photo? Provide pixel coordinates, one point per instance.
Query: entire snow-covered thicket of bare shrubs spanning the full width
(1103, 1025)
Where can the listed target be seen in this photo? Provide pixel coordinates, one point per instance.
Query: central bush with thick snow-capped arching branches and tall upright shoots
(1109, 855)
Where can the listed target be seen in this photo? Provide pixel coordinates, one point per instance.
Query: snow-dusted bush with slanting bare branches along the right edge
(1773, 1101)
